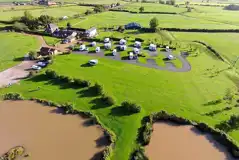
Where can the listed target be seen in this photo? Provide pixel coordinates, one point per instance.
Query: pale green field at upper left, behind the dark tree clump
(55, 12)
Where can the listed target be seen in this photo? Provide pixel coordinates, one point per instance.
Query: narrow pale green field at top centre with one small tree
(154, 7)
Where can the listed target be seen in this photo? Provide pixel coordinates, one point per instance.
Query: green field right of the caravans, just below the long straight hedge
(225, 43)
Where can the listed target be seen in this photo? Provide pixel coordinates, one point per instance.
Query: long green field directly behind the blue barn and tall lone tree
(117, 18)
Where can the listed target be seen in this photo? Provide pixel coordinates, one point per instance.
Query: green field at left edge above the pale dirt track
(15, 46)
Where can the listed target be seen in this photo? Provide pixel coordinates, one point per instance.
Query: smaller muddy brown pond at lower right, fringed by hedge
(174, 142)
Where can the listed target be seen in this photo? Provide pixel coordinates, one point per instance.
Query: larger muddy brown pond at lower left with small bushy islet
(48, 134)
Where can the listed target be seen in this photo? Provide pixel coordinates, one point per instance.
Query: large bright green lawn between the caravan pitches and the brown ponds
(181, 93)
